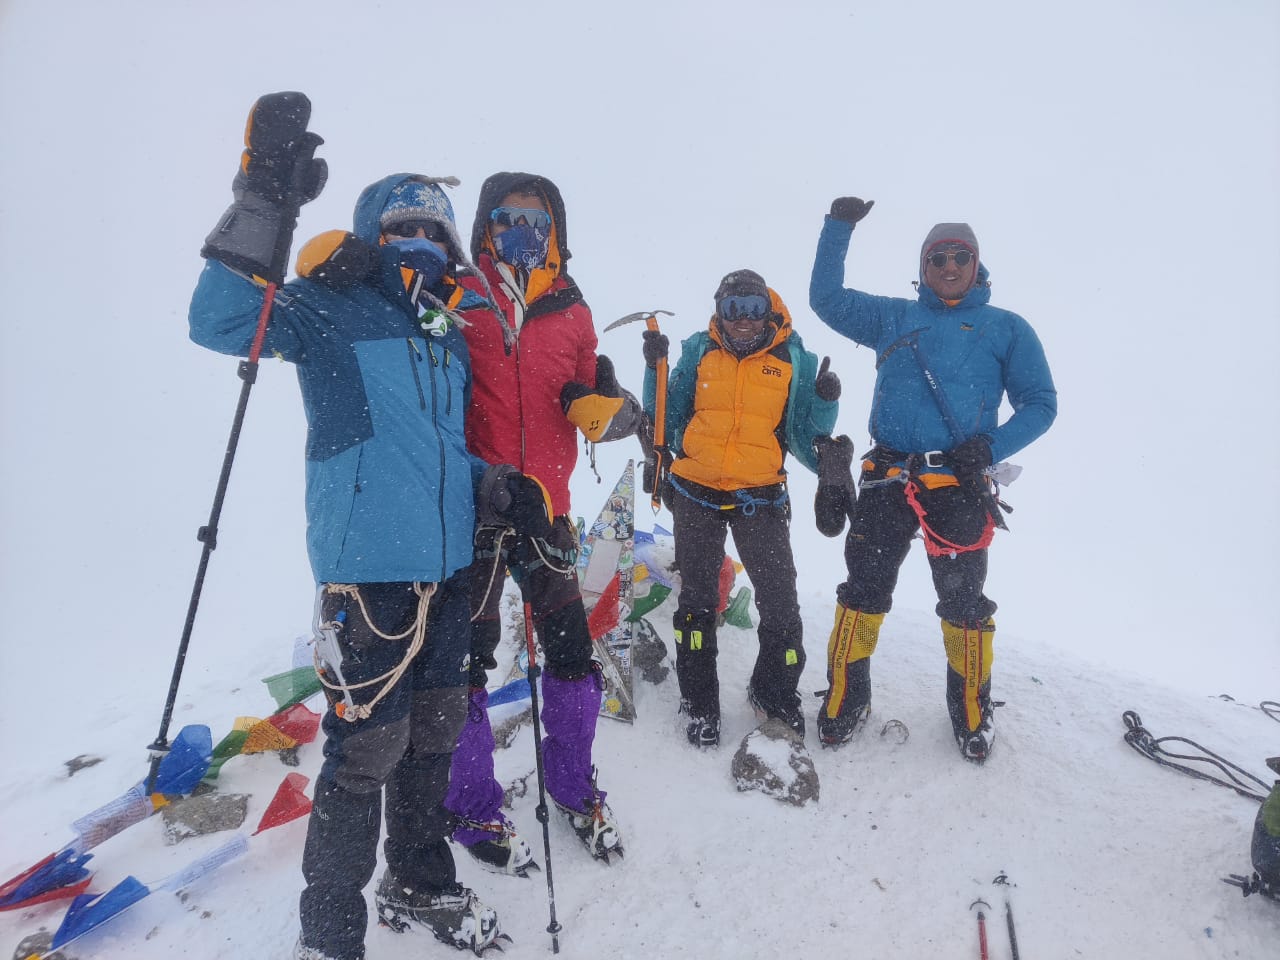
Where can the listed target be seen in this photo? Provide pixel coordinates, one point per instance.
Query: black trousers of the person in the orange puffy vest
(762, 534)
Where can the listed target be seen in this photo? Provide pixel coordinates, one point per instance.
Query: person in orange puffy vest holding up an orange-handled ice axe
(744, 395)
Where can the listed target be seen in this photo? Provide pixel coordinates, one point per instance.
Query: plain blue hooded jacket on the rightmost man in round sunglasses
(977, 353)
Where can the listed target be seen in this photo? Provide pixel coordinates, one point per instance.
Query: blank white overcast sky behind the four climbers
(1118, 162)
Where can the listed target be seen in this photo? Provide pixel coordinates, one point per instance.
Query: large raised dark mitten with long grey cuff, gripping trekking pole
(278, 175)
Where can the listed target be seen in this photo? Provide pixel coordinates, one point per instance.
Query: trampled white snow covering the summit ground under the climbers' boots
(1113, 856)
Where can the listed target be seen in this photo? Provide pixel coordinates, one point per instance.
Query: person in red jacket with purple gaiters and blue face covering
(537, 382)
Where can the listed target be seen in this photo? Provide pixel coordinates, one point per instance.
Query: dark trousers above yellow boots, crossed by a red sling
(880, 538)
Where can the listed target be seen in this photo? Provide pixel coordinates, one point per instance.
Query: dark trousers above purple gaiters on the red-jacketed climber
(556, 601)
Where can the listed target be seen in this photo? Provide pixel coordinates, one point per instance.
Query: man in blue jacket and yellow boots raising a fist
(944, 362)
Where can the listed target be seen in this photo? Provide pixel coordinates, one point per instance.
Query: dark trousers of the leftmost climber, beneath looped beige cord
(405, 746)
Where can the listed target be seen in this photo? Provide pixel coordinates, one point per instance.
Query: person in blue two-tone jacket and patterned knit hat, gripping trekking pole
(392, 497)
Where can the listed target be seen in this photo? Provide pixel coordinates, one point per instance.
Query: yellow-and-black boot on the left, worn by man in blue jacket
(848, 701)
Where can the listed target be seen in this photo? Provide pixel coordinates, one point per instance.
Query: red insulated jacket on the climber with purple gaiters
(516, 415)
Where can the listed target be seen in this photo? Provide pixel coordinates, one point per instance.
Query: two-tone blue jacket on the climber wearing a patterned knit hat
(390, 482)
